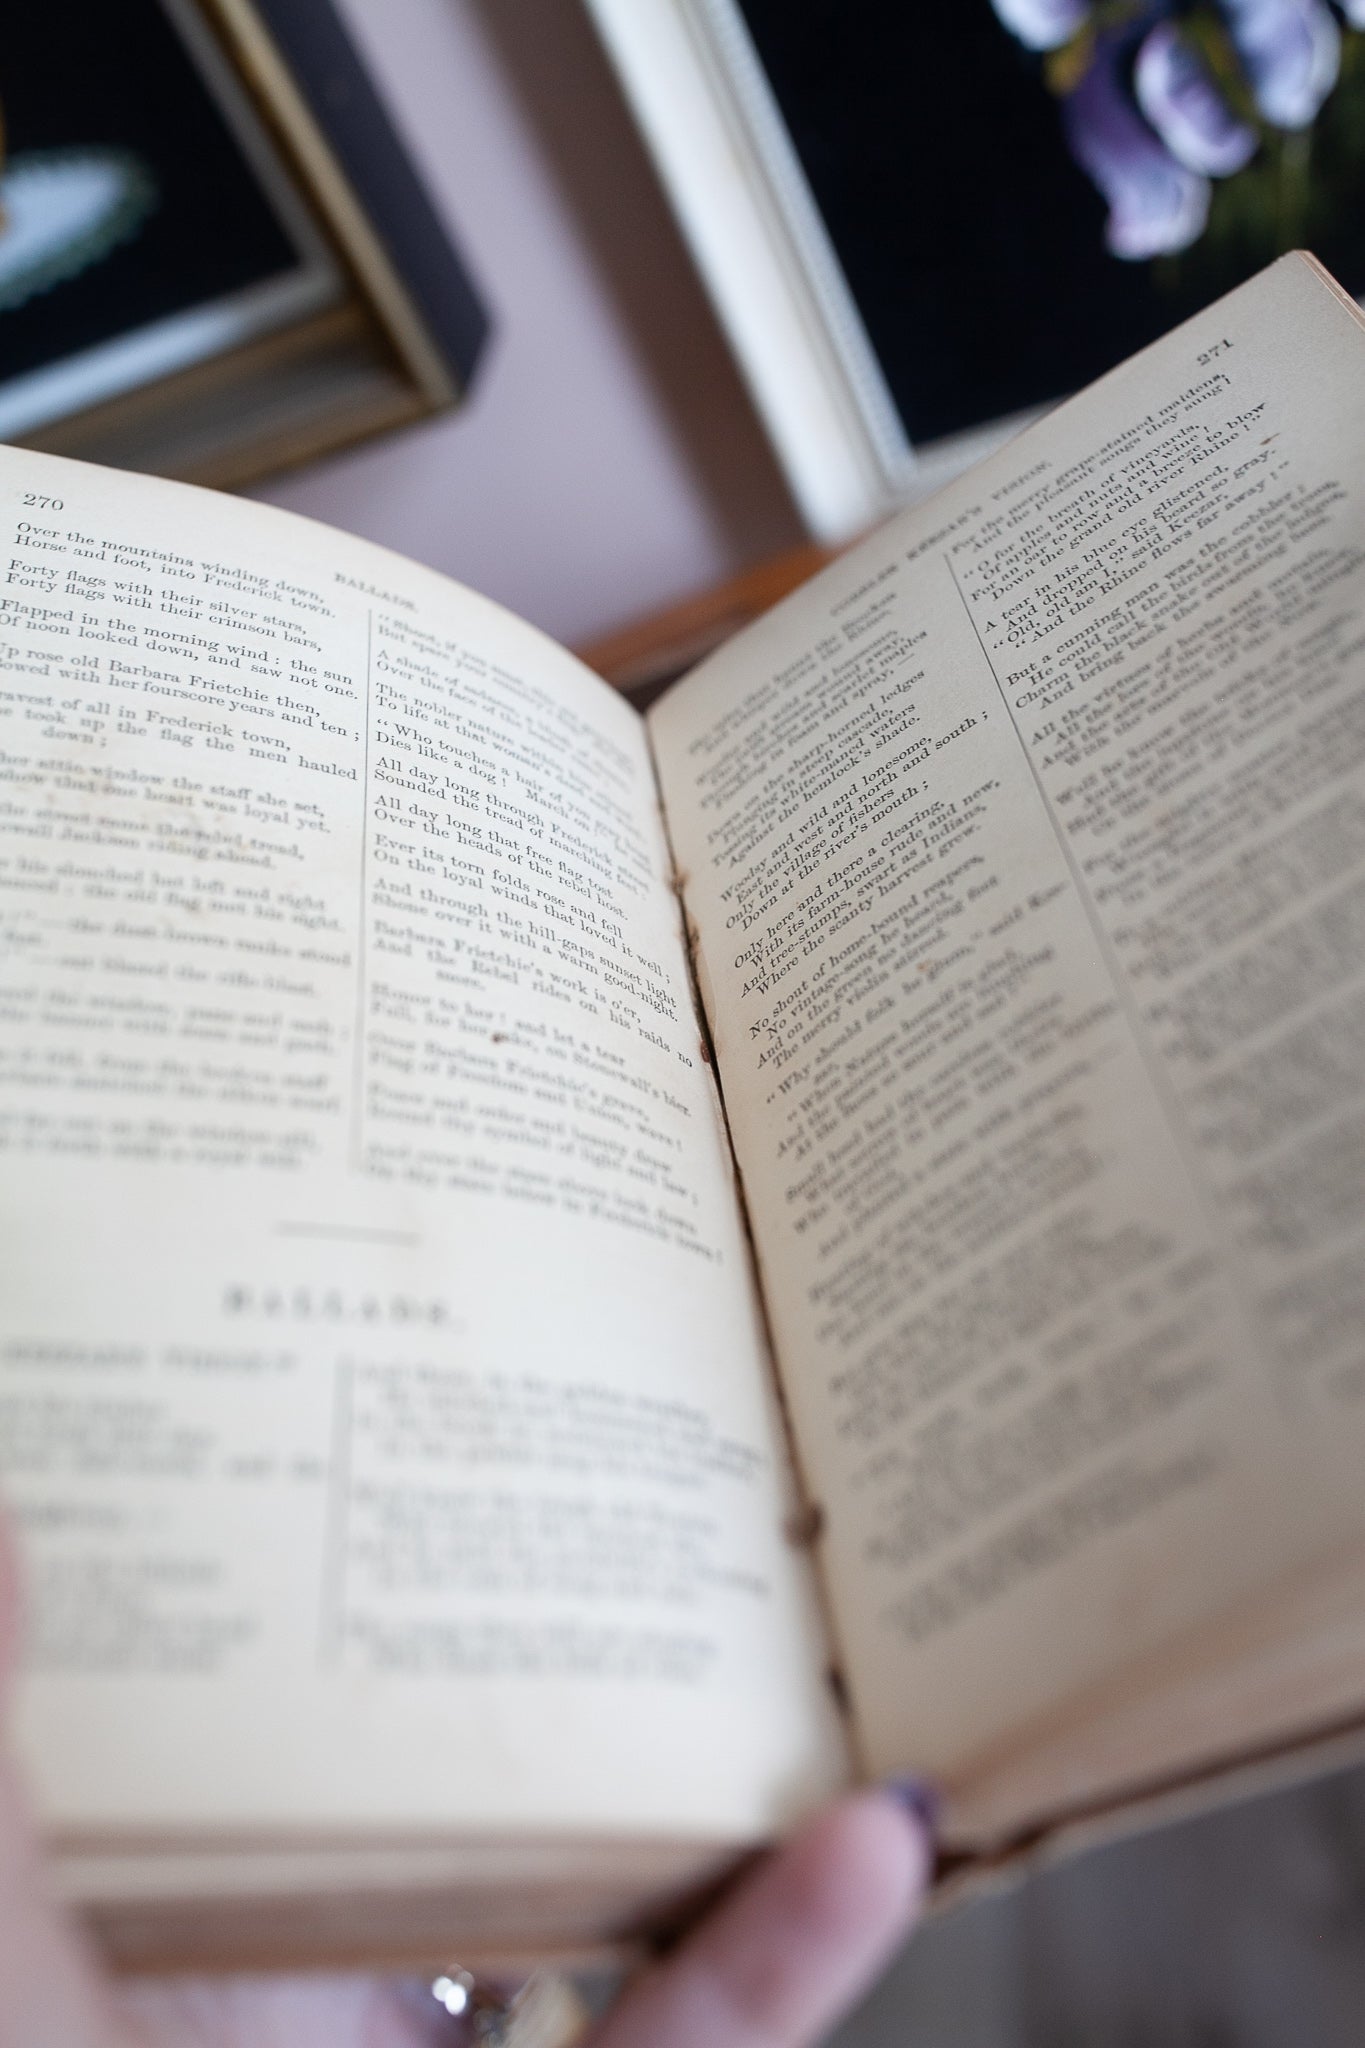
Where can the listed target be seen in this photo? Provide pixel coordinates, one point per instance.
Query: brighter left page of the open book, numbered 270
(382, 1398)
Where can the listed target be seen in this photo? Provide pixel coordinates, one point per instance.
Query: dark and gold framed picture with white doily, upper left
(216, 255)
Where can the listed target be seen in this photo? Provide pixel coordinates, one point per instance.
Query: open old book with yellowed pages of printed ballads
(576, 1283)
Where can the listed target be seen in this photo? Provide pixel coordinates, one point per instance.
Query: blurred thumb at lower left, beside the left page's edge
(50, 1990)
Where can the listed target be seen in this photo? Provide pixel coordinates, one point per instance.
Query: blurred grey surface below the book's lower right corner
(1239, 1930)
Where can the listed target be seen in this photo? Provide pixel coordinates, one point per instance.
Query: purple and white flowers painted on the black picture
(1157, 101)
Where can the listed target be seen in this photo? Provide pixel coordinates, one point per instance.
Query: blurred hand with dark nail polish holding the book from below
(773, 1967)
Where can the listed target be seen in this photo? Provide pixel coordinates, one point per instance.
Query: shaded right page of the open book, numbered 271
(1026, 859)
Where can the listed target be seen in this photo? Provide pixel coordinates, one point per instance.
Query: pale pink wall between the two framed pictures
(609, 458)
